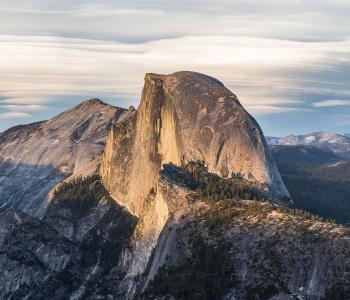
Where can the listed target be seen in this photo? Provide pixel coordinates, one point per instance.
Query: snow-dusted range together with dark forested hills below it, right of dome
(316, 170)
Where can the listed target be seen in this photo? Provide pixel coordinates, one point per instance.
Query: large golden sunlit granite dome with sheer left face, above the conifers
(184, 117)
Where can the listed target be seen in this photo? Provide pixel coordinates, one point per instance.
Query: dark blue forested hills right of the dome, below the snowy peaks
(317, 179)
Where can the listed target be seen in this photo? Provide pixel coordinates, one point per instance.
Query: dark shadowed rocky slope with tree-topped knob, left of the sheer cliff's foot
(72, 253)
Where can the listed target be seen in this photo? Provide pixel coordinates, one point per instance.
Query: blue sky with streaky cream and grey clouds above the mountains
(288, 61)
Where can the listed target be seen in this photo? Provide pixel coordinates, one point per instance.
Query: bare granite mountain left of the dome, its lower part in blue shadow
(36, 157)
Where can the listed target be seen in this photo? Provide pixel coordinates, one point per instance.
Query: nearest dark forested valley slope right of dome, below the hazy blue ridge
(321, 189)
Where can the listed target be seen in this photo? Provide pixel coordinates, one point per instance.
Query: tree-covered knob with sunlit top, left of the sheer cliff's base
(80, 194)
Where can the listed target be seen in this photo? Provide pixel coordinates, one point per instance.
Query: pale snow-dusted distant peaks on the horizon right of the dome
(339, 144)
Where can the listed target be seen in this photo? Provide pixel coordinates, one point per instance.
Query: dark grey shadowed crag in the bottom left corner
(30, 251)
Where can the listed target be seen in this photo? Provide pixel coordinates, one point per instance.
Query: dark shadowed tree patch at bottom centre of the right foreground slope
(205, 275)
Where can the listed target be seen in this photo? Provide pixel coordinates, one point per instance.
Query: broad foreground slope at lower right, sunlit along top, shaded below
(248, 250)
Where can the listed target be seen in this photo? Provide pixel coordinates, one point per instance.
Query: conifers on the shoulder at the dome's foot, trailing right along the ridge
(230, 191)
